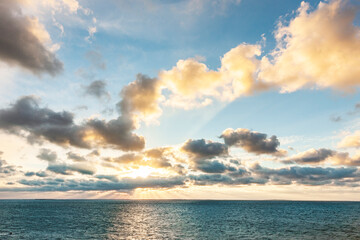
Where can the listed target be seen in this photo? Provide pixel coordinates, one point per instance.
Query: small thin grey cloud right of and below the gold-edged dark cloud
(311, 156)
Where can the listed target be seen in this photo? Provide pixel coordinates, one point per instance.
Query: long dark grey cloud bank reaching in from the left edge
(59, 127)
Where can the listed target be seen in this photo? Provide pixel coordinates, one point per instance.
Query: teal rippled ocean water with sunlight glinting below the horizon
(112, 219)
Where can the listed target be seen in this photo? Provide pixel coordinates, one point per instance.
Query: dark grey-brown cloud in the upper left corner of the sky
(20, 46)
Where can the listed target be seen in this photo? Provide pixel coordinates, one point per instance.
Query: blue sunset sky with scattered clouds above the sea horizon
(180, 99)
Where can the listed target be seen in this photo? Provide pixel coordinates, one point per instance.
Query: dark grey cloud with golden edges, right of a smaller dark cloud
(253, 142)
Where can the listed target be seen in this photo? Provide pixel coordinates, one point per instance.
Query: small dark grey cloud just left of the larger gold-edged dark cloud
(204, 149)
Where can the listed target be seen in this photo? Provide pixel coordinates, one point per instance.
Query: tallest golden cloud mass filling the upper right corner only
(316, 49)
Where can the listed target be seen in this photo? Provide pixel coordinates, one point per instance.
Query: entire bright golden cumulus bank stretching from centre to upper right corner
(315, 49)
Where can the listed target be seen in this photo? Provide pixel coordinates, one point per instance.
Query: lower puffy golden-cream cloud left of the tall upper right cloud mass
(192, 84)
